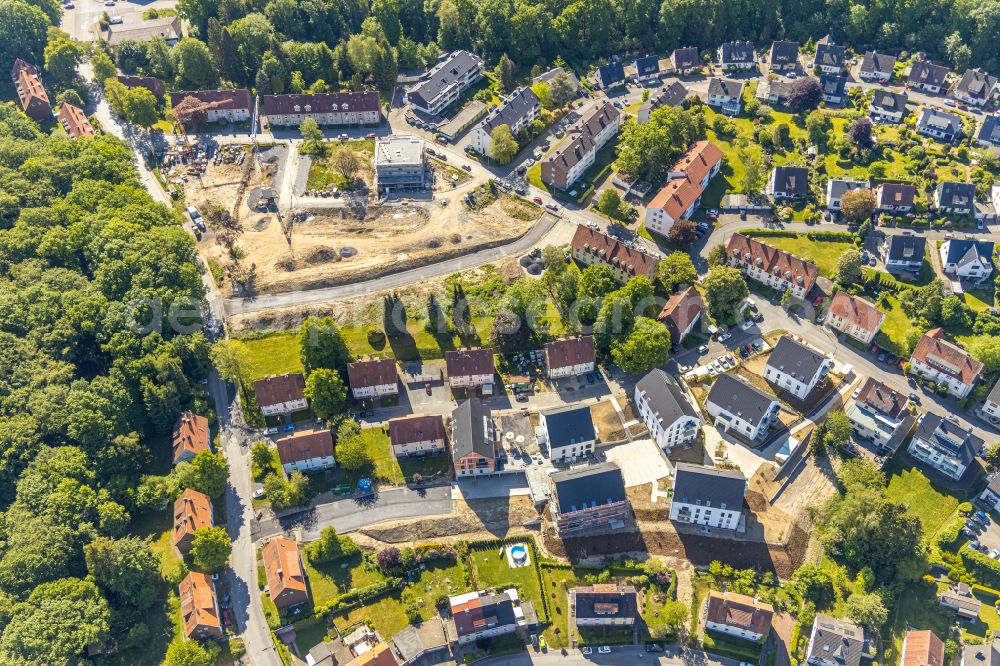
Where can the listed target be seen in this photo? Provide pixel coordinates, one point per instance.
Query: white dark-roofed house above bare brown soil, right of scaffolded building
(708, 496)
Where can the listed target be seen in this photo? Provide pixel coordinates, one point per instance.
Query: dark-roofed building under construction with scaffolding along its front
(591, 497)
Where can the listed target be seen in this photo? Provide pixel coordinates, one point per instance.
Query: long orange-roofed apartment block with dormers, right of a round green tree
(770, 266)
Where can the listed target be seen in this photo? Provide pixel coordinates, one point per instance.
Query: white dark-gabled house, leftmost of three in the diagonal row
(666, 410)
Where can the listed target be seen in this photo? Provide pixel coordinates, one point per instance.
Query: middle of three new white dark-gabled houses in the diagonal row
(738, 406)
